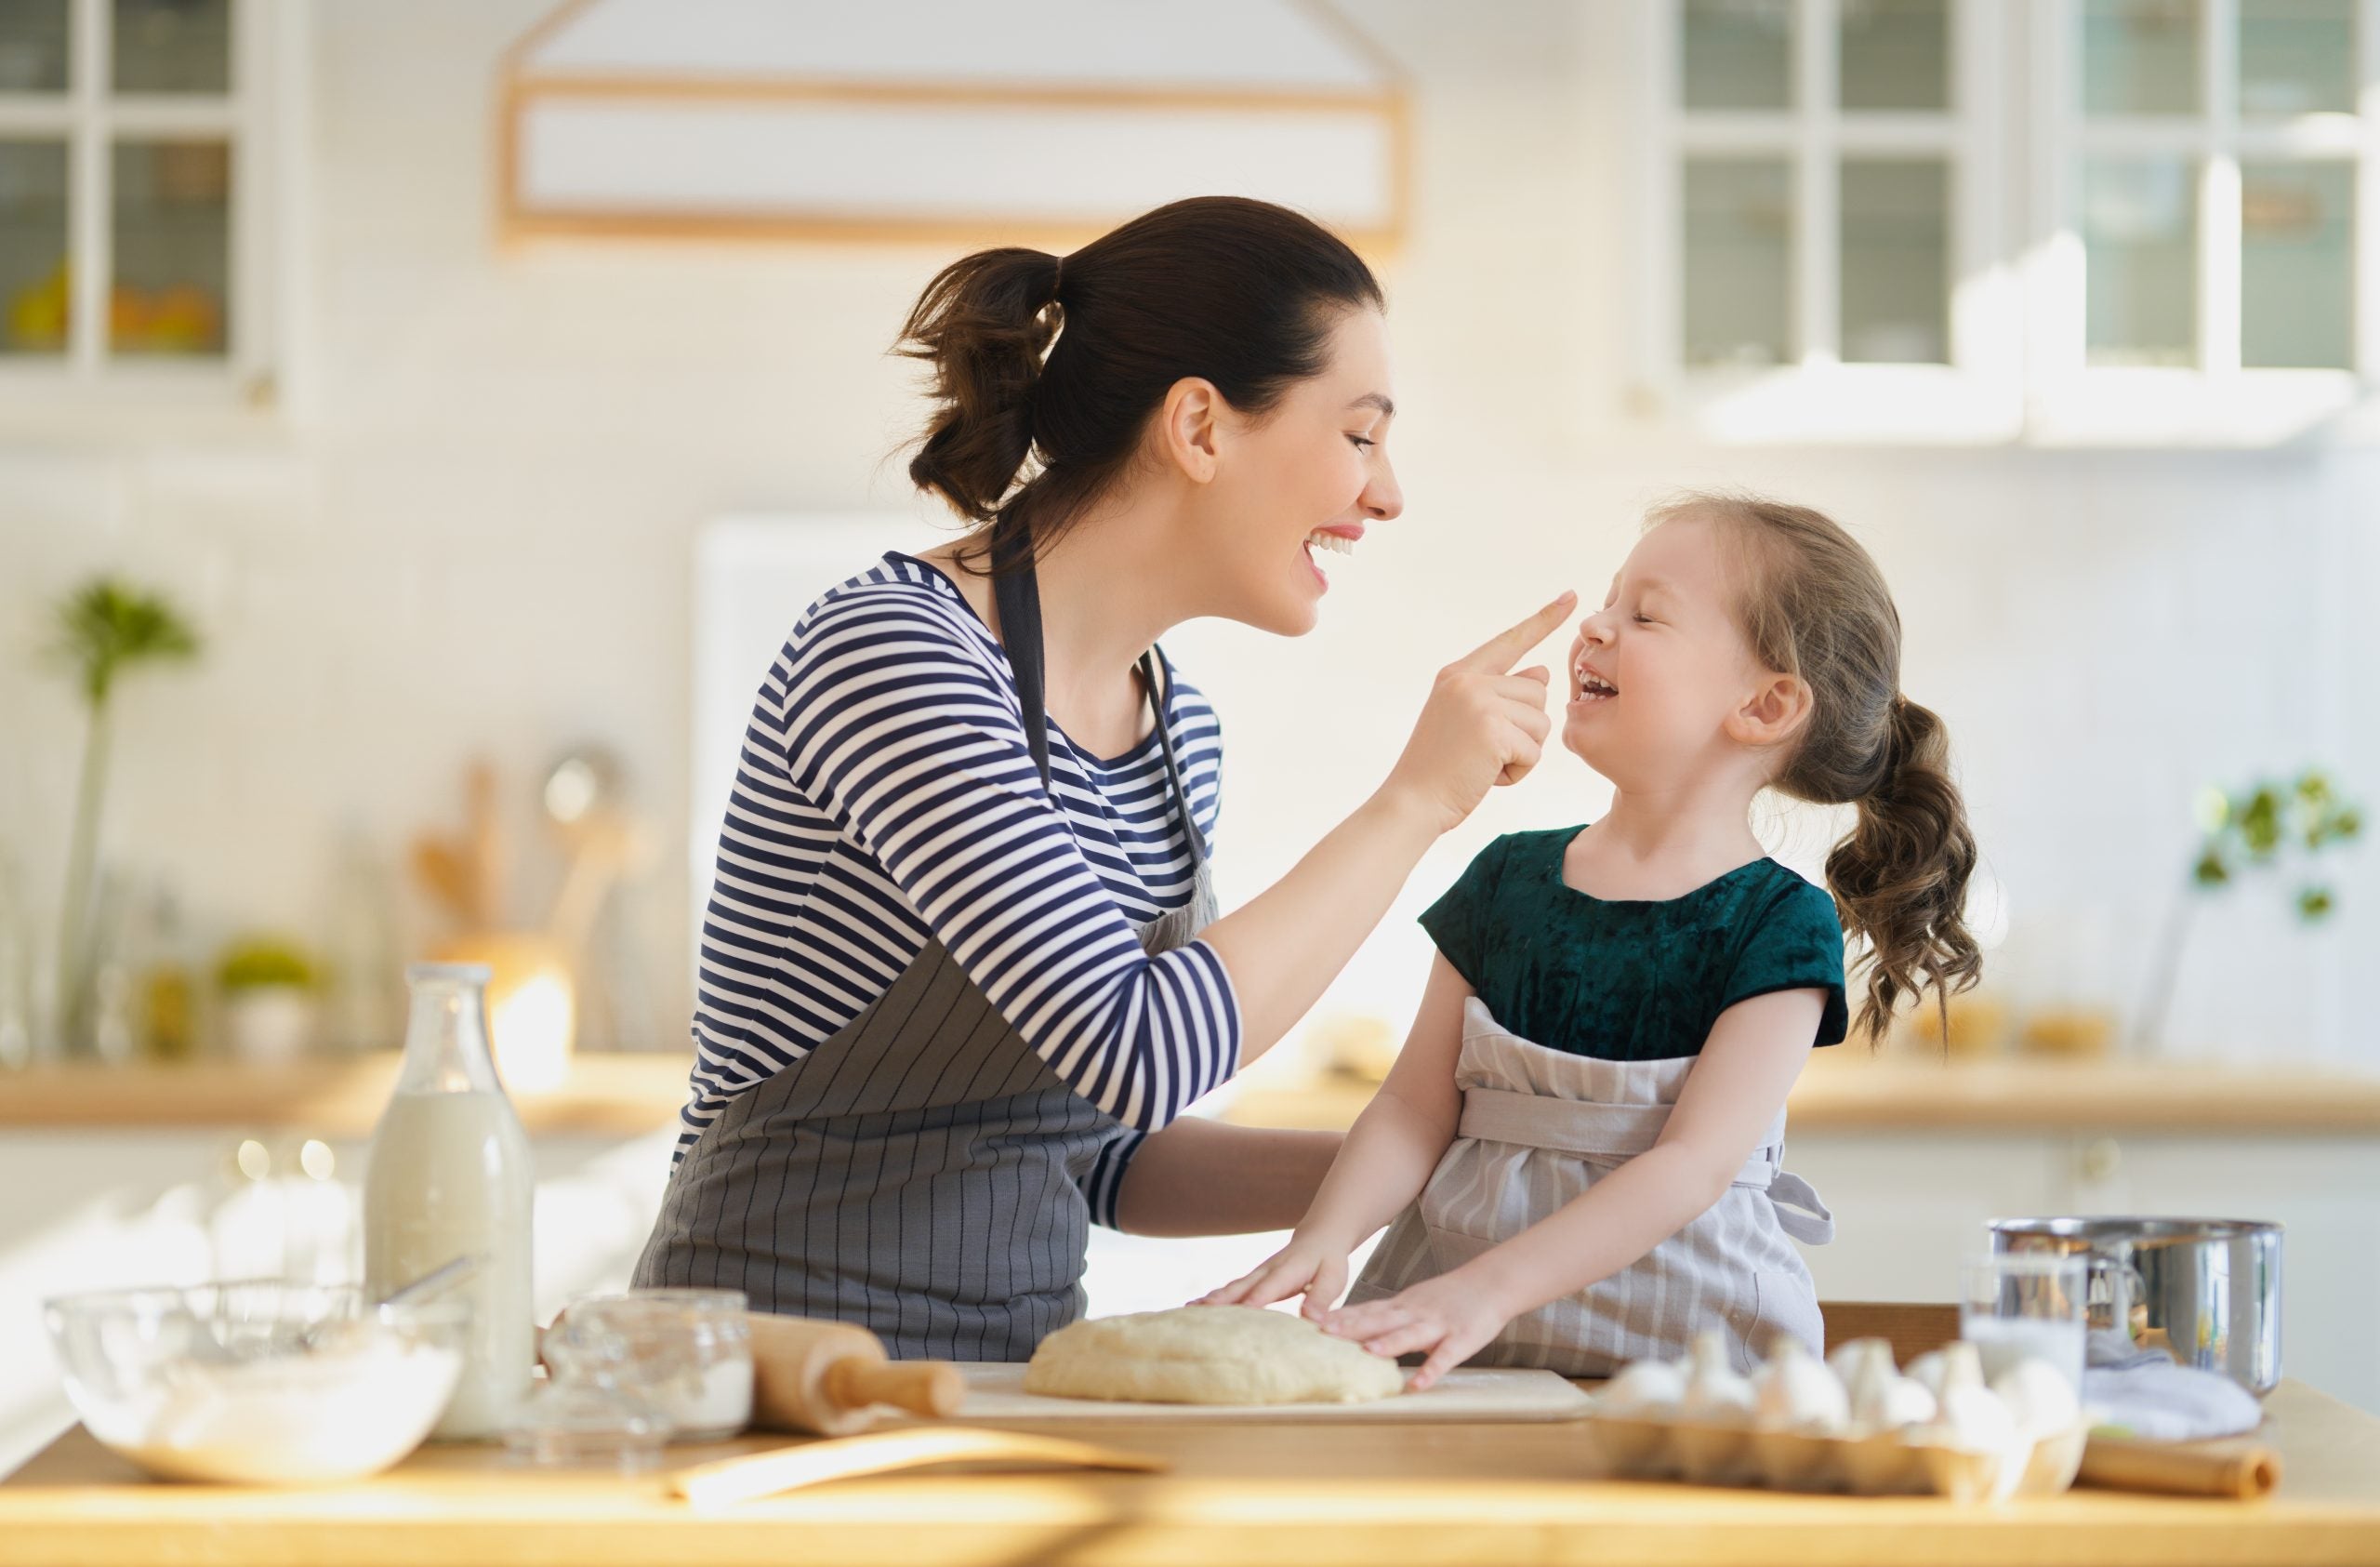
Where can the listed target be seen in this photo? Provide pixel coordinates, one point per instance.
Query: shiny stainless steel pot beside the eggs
(2207, 1292)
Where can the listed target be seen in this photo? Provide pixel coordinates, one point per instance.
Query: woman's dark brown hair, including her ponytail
(1229, 289)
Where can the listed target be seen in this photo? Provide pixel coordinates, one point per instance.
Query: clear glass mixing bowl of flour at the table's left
(258, 1380)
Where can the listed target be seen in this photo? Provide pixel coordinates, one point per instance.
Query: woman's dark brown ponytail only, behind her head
(984, 325)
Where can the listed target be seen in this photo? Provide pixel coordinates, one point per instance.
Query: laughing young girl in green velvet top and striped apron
(1591, 1106)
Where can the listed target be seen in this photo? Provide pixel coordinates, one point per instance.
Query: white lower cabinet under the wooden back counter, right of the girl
(1910, 1209)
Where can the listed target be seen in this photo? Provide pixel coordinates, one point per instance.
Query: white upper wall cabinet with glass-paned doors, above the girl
(2138, 223)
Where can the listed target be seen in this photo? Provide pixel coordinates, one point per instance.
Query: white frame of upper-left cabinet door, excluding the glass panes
(92, 118)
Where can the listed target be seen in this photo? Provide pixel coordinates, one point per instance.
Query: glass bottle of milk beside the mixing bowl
(451, 1178)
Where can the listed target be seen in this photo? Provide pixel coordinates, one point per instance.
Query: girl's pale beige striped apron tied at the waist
(1539, 1130)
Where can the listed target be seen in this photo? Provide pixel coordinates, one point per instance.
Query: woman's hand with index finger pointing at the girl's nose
(1482, 728)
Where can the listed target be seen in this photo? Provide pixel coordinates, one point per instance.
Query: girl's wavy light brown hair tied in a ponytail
(1815, 606)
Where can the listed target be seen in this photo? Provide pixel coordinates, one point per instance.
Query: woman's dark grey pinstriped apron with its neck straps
(920, 1173)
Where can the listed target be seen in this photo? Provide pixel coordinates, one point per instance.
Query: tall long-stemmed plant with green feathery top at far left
(101, 632)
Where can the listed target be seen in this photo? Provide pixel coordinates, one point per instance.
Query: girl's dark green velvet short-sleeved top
(1631, 980)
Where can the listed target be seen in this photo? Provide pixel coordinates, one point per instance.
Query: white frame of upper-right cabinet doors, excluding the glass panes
(2017, 146)
